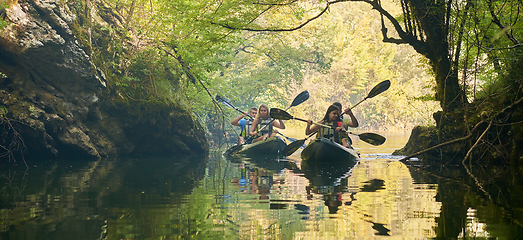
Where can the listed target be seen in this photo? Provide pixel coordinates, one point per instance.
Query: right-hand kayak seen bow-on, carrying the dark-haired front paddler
(322, 150)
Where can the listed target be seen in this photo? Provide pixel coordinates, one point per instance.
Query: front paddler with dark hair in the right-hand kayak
(337, 133)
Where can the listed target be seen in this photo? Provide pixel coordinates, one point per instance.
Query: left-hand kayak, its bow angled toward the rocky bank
(269, 146)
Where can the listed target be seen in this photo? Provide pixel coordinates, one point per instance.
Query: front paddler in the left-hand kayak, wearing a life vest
(259, 128)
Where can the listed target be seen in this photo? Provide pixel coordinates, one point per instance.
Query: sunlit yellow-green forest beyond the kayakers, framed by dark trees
(180, 51)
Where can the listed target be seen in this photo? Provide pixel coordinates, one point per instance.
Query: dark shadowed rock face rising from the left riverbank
(55, 102)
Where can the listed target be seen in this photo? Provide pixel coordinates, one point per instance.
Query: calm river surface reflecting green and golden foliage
(218, 198)
